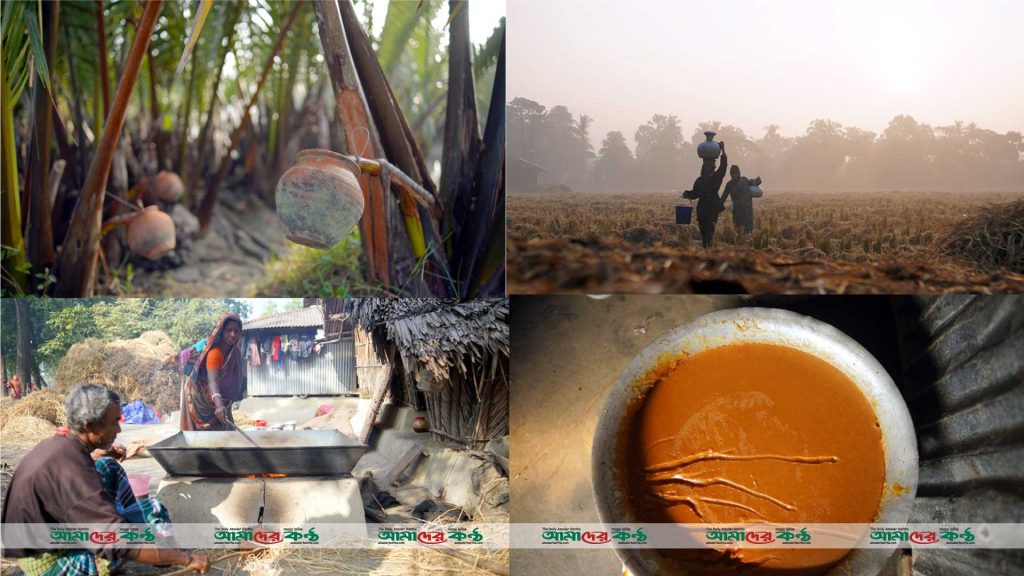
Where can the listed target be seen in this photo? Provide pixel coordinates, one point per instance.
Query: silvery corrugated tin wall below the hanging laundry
(332, 374)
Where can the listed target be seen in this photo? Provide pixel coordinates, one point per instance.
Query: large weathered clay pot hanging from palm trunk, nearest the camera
(320, 199)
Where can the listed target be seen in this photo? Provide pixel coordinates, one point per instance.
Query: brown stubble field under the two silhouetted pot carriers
(802, 242)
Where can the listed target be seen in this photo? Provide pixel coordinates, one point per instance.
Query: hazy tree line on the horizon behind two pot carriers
(552, 147)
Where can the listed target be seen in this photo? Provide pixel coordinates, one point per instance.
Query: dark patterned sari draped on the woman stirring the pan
(198, 413)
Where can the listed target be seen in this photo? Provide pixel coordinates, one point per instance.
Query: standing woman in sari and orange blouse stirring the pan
(217, 380)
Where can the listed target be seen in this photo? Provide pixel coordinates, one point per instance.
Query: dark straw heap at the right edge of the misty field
(993, 239)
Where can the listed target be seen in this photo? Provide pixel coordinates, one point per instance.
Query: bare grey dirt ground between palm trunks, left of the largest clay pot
(229, 262)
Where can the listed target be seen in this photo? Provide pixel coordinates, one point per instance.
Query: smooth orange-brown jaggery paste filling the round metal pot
(756, 433)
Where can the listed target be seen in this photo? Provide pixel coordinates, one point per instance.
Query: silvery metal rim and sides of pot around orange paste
(756, 326)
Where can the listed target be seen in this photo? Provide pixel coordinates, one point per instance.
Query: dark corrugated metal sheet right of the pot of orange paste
(964, 383)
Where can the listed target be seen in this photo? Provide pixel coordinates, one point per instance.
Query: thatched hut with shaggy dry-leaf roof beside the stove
(449, 358)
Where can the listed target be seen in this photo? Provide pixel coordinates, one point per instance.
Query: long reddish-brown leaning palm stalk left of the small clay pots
(78, 258)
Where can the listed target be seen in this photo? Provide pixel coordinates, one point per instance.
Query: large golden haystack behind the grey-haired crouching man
(143, 368)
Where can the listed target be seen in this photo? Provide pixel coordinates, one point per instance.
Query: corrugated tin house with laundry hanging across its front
(311, 360)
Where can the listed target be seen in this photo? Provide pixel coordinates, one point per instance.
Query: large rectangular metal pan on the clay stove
(281, 452)
